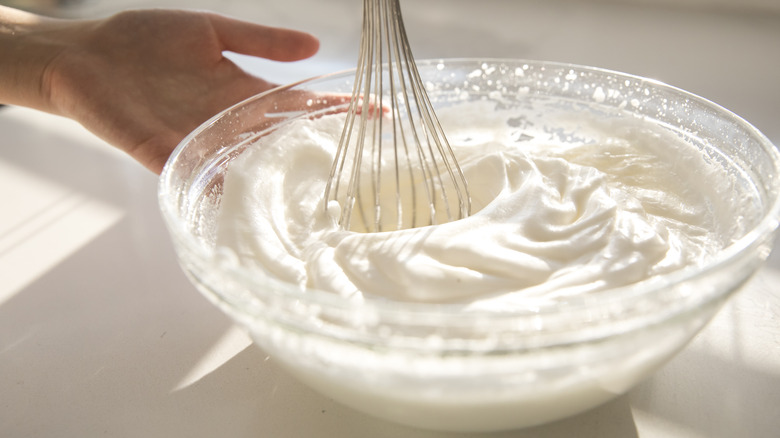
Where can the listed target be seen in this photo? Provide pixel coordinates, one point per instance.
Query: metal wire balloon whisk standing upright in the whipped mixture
(418, 182)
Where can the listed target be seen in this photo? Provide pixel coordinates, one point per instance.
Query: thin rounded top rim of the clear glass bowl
(756, 236)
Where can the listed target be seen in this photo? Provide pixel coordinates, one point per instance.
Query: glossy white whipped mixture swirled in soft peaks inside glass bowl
(551, 219)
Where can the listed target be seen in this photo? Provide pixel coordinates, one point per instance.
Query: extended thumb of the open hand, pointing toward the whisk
(273, 43)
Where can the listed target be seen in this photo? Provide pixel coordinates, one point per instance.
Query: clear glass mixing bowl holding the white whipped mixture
(432, 365)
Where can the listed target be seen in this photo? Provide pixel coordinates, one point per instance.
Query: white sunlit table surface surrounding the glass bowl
(101, 334)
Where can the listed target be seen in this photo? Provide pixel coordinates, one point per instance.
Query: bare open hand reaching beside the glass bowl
(143, 79)
